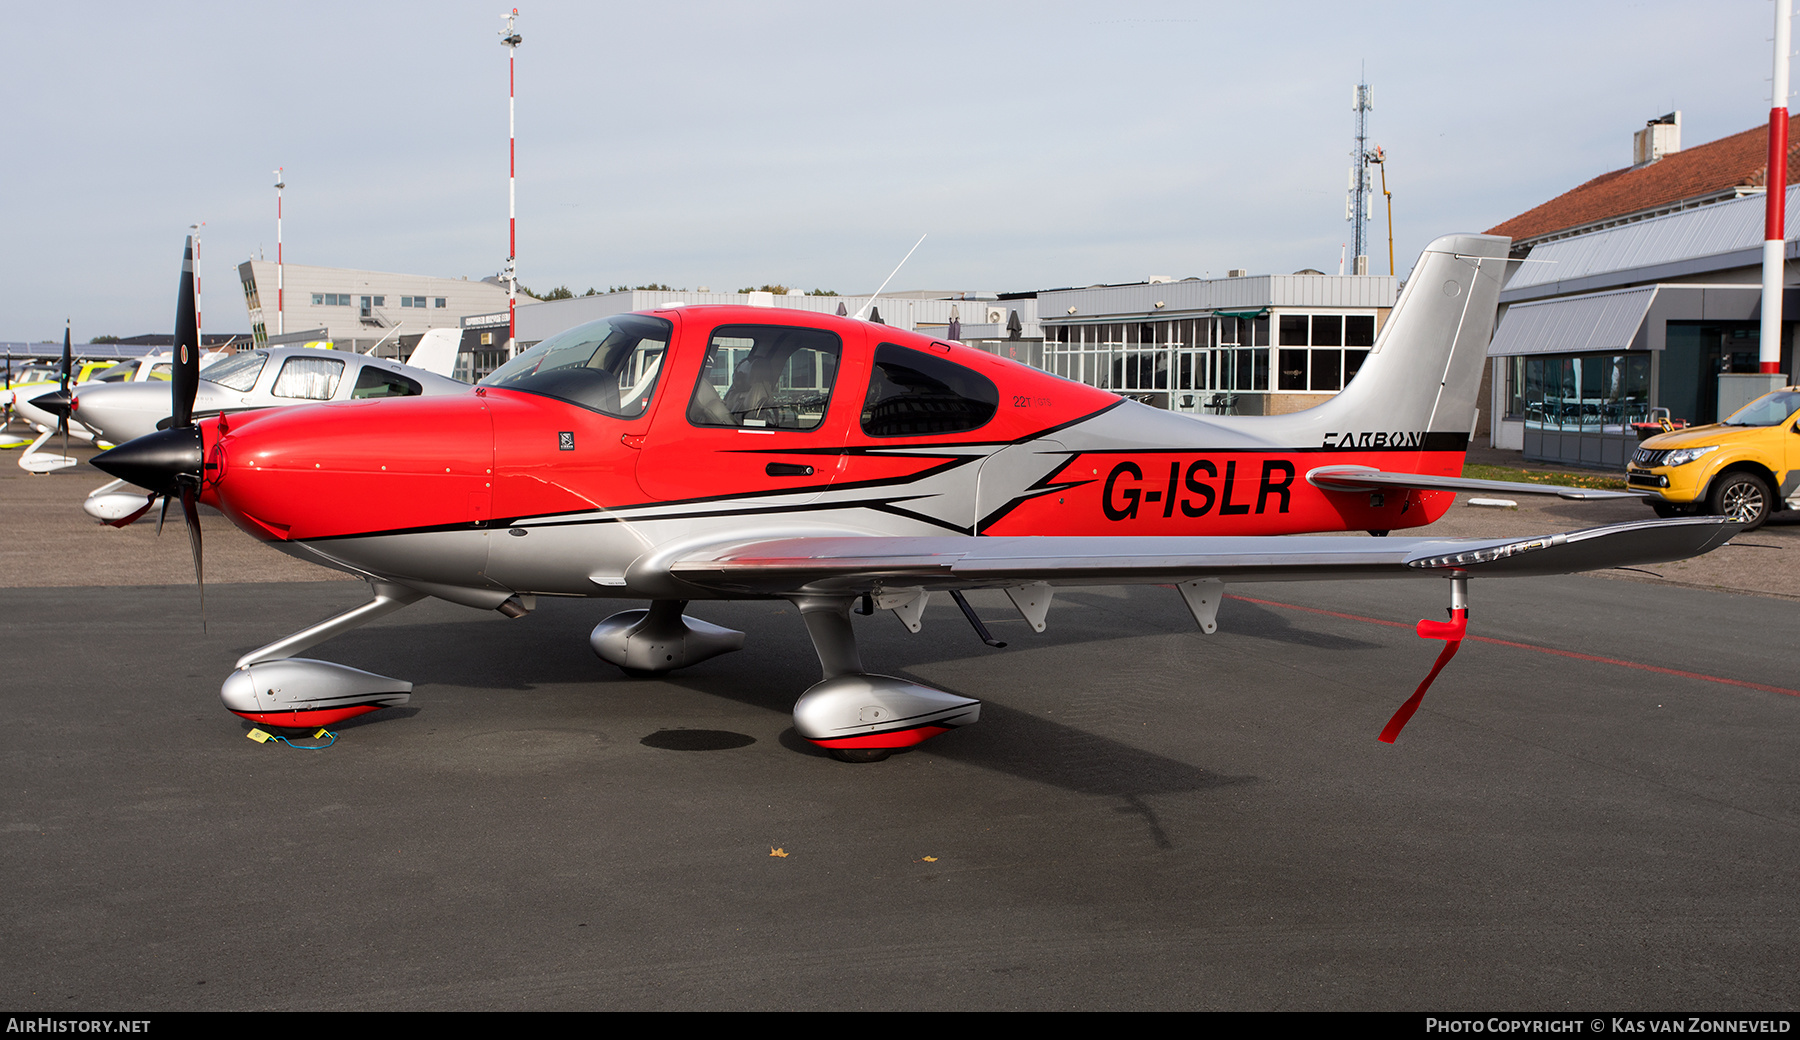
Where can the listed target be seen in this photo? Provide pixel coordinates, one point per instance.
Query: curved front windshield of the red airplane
(609, 366)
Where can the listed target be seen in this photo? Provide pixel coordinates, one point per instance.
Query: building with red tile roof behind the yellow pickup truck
(1639, 291)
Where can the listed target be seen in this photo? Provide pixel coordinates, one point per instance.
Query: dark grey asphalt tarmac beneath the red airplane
(1596, 809)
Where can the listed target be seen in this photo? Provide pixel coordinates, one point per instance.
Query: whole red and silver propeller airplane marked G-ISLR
(732, 453)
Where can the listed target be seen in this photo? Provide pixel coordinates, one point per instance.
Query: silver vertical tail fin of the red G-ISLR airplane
(1425, 373)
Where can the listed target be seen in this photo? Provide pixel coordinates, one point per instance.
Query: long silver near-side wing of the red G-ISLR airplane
(861, 564)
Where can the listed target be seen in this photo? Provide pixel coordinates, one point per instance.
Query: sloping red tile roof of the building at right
(1738, 161)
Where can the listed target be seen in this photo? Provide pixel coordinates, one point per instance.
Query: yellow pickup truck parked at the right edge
(1745, 467)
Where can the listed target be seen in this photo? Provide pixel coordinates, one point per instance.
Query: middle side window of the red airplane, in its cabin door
(766, 377)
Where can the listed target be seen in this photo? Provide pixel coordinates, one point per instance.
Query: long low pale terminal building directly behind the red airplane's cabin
(1250, 346)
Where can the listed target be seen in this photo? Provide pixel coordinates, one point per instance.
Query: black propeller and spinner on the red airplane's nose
(172, 463)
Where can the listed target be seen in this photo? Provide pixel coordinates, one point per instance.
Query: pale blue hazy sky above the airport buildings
(724, 145)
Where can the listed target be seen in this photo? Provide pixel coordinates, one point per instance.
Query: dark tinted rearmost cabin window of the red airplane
(913, 393)
